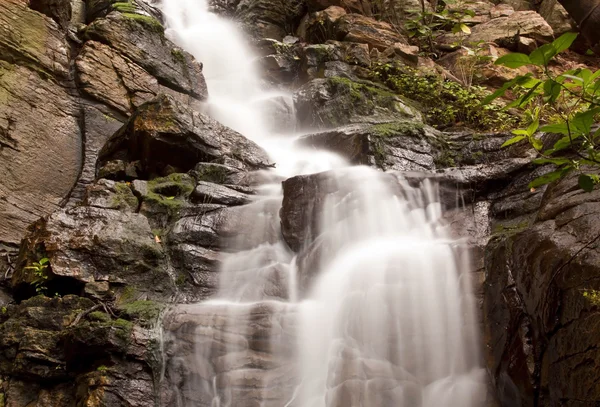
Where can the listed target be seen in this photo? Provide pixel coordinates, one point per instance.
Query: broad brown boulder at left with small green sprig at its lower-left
(87, 244)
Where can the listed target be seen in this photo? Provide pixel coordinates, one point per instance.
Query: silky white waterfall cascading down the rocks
(389, 320)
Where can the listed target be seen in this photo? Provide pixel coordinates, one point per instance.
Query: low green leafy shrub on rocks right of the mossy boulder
(444, 103)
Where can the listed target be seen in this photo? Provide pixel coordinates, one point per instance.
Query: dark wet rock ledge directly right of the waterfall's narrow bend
(400, 146)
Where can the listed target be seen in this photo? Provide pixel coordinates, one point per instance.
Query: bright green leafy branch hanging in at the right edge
(573, 99)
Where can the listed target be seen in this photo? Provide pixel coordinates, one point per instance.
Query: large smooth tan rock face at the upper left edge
(39, 120)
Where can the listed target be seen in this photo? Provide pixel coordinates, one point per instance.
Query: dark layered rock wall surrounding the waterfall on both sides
(103, 135)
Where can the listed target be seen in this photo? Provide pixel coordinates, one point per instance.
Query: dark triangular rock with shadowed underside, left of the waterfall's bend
(165, 134)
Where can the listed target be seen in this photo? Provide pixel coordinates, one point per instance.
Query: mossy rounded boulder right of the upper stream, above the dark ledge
(331, 102)
